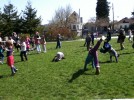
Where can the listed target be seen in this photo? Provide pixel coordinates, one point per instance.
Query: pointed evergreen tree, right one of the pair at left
(31, 21)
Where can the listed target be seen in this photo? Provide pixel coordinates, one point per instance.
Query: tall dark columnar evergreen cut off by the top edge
(102, 9)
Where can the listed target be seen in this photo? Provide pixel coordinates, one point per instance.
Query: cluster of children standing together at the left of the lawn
(22, 44)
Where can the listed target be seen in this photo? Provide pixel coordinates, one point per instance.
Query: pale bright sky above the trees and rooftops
(46, 8)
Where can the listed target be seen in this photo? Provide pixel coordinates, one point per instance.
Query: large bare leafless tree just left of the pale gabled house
(61, 22)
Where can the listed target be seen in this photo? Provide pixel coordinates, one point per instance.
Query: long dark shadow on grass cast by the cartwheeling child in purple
(77, 74)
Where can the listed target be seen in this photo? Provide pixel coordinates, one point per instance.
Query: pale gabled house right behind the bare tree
(76, 23)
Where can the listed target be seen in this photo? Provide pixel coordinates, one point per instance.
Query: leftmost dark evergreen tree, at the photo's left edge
(9, 17)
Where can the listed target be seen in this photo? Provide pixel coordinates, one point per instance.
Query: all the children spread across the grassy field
(24, 44)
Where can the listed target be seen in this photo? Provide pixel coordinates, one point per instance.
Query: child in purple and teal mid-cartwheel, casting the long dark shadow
(93, 57)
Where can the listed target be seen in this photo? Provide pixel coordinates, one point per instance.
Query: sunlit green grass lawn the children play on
(40, 79)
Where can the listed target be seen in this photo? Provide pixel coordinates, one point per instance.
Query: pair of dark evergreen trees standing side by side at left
(24, 22)
